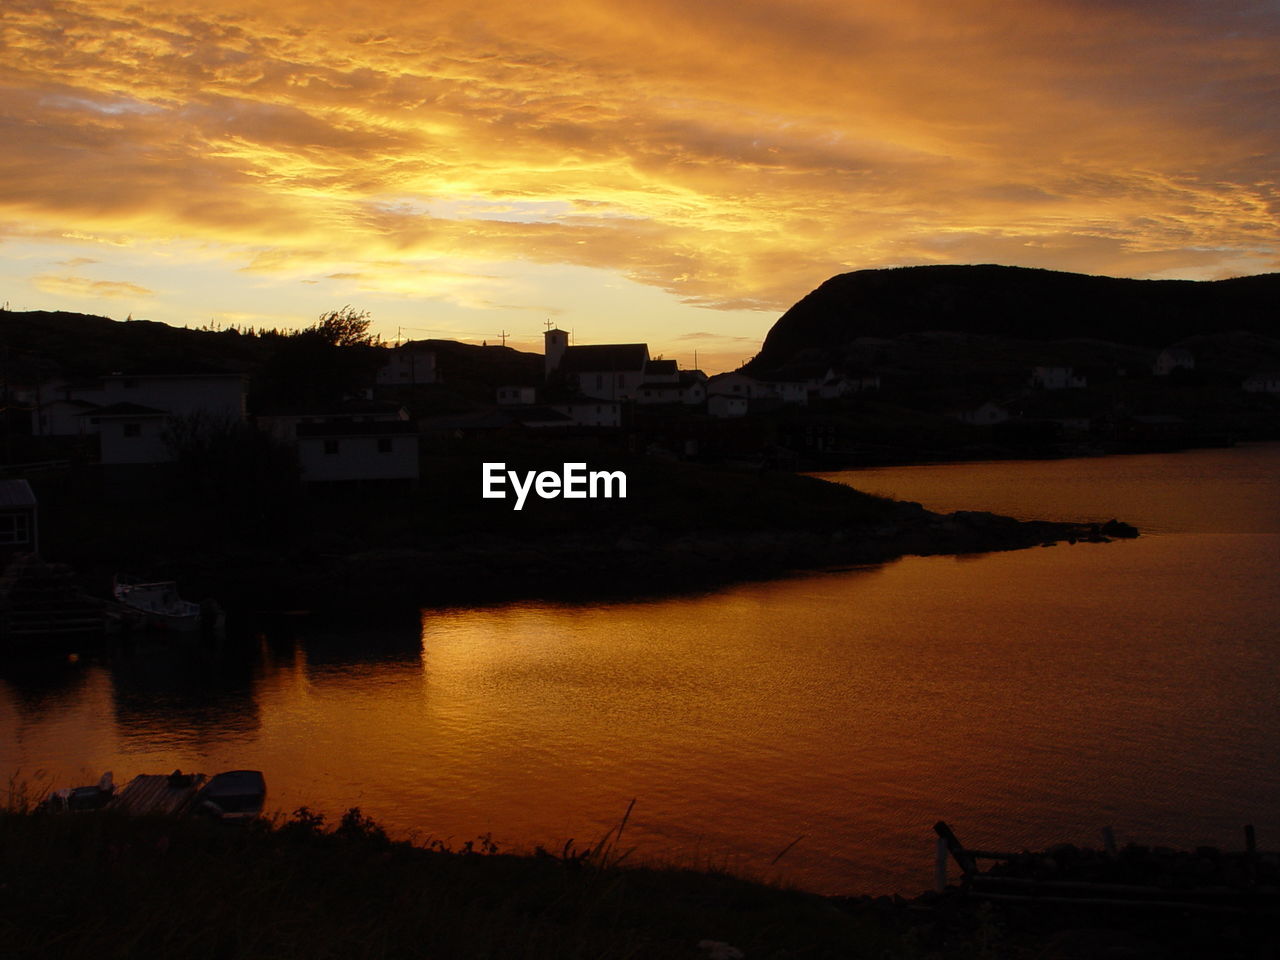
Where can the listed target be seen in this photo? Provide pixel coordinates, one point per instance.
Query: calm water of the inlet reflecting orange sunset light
(1028, 698)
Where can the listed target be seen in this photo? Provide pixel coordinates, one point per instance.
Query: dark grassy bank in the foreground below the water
(102, 886)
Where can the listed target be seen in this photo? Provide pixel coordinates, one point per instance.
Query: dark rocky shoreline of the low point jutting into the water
(629, 565)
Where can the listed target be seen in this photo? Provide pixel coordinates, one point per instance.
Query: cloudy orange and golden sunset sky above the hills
(652, 171)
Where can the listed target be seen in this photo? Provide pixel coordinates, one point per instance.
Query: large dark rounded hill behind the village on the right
(1017, 304)
